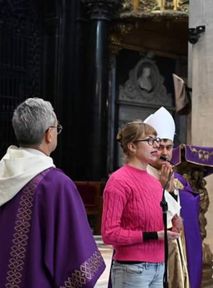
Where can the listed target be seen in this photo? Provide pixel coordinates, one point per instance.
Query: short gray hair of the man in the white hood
(31, 119)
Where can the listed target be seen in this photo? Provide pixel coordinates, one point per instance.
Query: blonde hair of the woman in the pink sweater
(132, 131)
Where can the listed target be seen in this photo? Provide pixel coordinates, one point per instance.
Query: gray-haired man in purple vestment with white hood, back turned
(45, 237)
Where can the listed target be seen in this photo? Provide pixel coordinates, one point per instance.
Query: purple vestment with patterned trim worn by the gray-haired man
(45, 237)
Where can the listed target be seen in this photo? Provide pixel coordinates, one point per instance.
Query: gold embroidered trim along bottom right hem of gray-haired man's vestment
(85, 272)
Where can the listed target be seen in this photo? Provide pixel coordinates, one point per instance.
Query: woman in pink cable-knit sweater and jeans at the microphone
(132, 217)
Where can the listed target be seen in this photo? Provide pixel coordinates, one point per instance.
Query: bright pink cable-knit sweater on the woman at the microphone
(132, 206)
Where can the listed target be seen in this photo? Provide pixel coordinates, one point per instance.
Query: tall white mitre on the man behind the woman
(163, 123)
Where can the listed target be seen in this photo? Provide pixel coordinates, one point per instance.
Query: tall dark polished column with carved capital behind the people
(99, 13)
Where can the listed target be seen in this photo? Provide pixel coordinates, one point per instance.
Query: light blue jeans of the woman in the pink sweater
(142, 275)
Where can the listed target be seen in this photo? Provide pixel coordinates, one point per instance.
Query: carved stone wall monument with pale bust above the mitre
(144, 84)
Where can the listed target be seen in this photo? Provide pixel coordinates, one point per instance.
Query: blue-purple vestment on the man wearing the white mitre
(190, 206)
